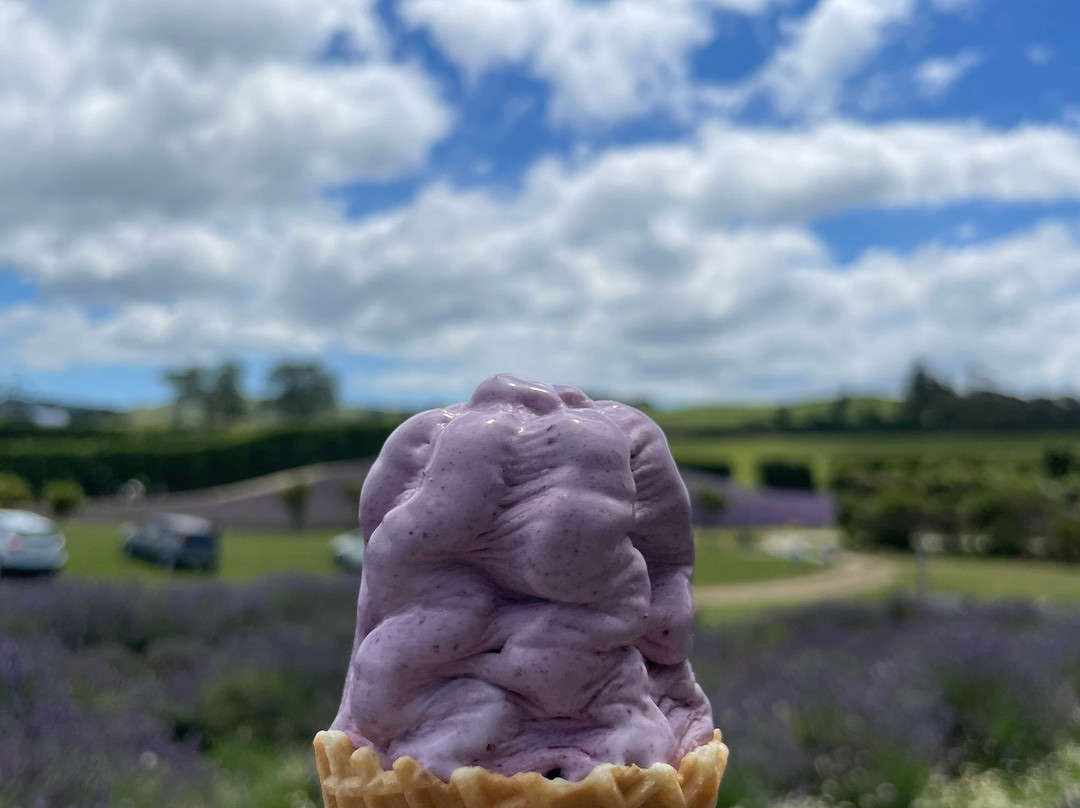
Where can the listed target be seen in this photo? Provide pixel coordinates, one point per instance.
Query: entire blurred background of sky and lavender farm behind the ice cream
(832, 247)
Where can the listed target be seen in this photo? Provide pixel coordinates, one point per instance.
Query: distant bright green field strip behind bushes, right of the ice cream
(818, 450)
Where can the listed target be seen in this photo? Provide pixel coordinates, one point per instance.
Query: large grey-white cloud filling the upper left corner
(120, 109)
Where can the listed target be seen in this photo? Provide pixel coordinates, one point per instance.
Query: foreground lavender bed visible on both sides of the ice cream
(114, 696)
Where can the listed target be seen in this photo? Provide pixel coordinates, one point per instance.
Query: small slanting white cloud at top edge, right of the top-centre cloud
(830, 46)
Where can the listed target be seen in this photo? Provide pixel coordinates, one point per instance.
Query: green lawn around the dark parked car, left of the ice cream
(94, 553)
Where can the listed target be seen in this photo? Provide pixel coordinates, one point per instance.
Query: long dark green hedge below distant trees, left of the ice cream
(185, 462)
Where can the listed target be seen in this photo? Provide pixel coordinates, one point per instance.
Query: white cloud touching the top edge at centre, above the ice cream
(605, 62)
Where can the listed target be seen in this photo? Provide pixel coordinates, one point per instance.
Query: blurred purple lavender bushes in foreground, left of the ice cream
(121, 695)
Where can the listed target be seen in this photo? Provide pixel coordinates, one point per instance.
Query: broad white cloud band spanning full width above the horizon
(681, 272)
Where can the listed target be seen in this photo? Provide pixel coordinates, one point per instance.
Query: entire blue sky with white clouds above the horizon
(735, 200)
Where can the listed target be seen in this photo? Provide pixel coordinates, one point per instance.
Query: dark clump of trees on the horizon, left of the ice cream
(213, 397)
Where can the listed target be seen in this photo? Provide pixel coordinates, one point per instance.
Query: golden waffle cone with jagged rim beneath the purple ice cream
(354, 778)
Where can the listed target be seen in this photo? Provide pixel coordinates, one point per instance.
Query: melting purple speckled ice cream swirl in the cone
(525, 603)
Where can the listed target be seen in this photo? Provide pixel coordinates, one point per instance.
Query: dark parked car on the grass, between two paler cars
(174, 541)
